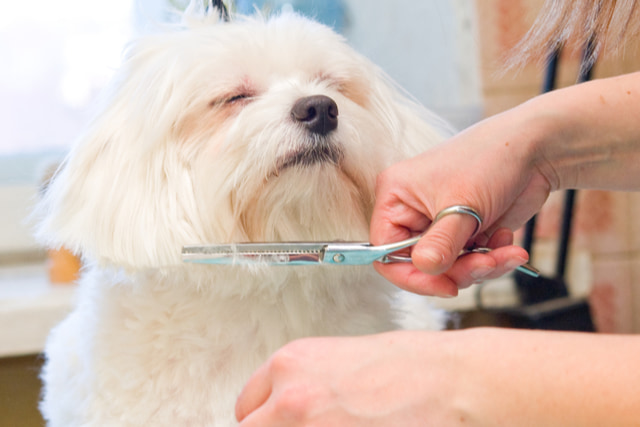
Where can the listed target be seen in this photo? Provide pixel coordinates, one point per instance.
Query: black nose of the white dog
(317, 113)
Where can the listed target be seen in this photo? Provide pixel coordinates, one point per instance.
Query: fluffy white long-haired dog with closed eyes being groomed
(216, 132)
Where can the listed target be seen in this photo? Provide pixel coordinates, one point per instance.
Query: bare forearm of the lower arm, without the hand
(533, 378)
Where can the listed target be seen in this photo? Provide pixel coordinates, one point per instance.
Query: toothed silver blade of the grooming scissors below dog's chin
(302, 253)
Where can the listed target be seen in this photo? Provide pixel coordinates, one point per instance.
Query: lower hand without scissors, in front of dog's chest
(392, 379)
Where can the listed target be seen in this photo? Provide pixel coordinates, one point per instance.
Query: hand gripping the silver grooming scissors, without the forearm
(492, 167)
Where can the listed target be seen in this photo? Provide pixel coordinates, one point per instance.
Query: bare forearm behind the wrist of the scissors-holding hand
(589, 134)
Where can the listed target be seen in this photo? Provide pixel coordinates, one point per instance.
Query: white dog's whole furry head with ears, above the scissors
(255, 130)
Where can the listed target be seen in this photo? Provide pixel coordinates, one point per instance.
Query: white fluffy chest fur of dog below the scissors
(181, 353)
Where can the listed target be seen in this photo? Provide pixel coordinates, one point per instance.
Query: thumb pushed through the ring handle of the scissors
(436, 252)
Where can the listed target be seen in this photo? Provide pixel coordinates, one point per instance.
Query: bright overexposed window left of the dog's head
(57, 57)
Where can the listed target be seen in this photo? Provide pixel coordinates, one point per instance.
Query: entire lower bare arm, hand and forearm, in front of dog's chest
(476, 377)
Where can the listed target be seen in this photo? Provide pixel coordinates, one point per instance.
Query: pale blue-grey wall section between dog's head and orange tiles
(429, 47)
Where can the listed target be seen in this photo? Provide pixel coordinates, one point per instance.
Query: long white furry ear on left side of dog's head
(124, 193)
